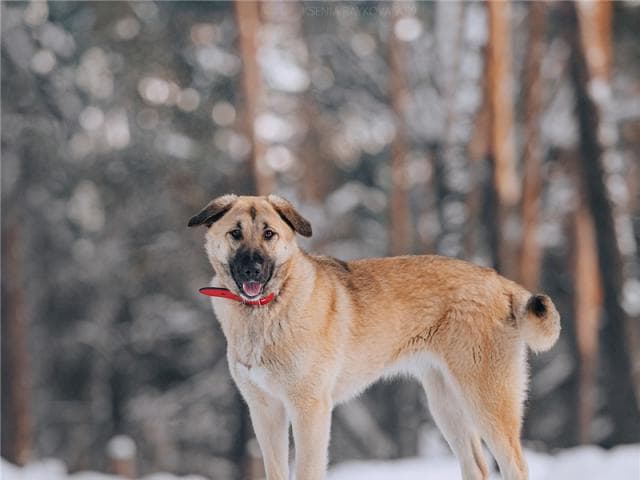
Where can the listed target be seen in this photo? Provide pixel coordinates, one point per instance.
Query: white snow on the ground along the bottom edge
(583, 463)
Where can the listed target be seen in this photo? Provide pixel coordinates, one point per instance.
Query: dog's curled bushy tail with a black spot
(538, 320)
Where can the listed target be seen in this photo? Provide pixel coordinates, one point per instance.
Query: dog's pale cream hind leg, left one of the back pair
(455, 425)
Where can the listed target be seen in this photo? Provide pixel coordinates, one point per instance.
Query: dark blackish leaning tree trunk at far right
(621, 396)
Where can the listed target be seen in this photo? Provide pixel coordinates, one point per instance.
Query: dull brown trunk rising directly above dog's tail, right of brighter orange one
(530, 255)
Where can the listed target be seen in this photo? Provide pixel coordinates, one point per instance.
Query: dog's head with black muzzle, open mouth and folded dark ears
(250, 239)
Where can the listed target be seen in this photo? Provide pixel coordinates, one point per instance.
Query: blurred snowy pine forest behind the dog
(507, 134)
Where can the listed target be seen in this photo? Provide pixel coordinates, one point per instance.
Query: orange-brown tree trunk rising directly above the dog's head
(248, 21)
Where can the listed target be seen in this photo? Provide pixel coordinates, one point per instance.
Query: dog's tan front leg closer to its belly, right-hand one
(311, 422)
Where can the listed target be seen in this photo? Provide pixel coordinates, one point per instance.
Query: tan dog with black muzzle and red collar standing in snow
(308, 332)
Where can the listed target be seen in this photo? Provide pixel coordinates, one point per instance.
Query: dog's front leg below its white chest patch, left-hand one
(271, 425)
